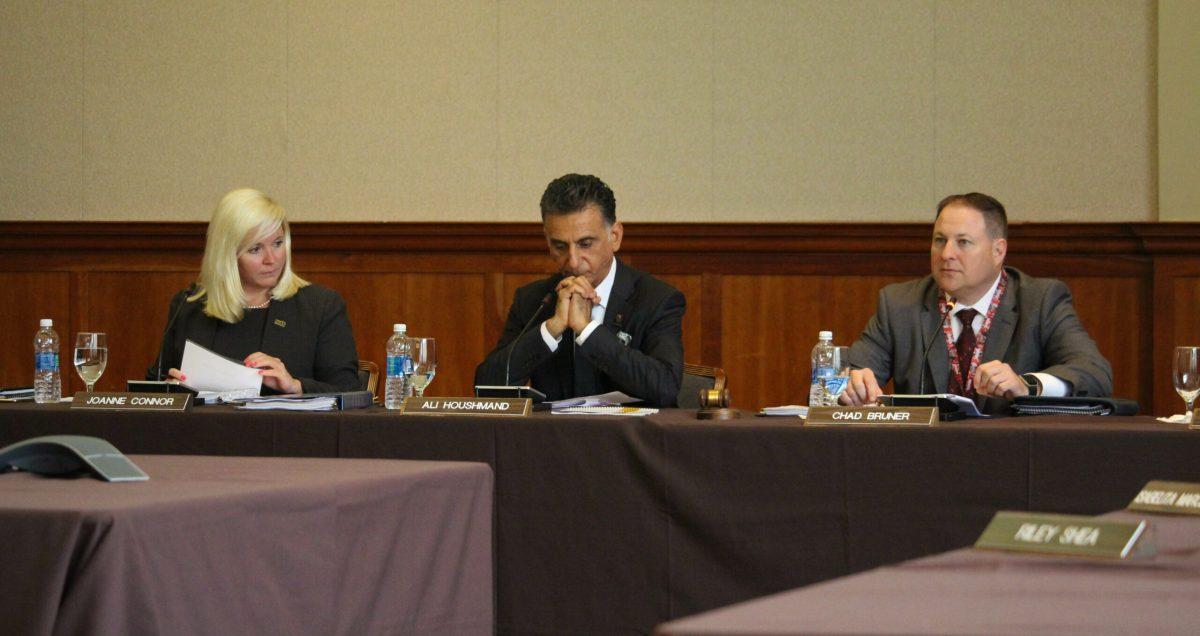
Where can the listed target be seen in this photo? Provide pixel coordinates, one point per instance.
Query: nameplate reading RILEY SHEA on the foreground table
(1064, 535)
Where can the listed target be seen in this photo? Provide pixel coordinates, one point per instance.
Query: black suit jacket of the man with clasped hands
(650, 368)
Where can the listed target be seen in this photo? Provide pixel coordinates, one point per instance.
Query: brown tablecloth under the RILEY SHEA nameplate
(986, 592)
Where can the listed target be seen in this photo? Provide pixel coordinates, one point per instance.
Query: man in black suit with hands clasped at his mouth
(608, 327)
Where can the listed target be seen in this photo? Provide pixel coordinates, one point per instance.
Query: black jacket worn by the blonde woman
(310, 333)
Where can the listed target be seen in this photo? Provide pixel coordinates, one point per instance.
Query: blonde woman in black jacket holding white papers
(249, 305)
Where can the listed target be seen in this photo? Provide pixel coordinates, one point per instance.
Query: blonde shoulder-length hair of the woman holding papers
(243, 218)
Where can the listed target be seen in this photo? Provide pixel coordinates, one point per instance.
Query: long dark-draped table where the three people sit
(609, 525)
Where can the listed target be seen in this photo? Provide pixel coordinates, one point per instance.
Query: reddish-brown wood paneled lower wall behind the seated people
(758, 295)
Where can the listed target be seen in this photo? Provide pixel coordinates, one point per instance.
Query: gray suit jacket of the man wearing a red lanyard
(1035, 331)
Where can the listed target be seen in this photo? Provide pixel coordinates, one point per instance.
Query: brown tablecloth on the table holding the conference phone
(239, 545)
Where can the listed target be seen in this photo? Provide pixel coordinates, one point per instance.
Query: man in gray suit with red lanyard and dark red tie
(975, 327)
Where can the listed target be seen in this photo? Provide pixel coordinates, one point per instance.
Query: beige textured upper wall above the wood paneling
(463, 111)
